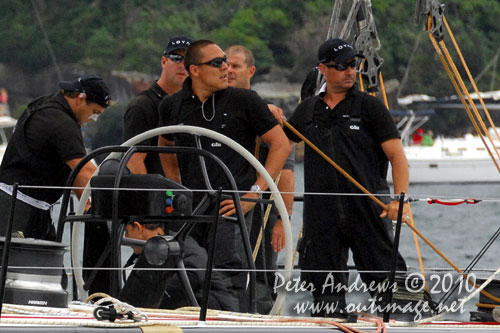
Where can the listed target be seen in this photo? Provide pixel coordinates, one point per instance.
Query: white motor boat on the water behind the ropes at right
(447, 160)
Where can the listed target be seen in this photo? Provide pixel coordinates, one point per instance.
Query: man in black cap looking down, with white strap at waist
(46, 145)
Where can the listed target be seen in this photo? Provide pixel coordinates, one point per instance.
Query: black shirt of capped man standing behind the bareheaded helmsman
(141, 116)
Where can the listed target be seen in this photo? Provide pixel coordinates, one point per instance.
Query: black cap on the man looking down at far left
(93, 86)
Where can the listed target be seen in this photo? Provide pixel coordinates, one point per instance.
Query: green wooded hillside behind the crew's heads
(284, 35)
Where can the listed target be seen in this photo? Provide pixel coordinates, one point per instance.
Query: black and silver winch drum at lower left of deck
(35, 274)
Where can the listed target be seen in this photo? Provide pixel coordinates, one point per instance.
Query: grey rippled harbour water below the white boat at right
(459, 232)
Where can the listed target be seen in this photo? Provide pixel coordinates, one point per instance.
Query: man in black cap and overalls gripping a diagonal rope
(357, 132)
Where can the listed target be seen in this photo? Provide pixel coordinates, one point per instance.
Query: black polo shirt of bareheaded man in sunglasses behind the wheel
(239, 114)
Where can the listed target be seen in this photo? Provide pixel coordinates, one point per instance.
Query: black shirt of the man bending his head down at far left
(47, 135)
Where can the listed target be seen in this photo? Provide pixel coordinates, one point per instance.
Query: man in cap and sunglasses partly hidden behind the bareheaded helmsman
(142, 112)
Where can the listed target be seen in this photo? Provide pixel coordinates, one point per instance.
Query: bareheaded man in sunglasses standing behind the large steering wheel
(206, 101)
